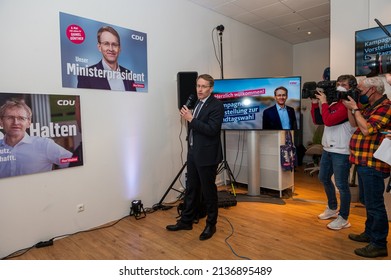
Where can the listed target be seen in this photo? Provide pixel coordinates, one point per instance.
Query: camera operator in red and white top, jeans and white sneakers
(335, 155)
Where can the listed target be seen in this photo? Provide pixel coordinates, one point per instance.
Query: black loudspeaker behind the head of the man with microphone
(186, 82)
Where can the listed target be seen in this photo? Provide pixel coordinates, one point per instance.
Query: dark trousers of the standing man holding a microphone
(200, 184)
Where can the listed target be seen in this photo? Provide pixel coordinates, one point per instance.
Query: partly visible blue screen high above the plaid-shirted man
(373, 51)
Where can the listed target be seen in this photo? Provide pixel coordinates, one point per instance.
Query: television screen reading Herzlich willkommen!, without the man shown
(245, 100)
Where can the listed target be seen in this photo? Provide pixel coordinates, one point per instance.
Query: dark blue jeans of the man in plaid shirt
(371, 184)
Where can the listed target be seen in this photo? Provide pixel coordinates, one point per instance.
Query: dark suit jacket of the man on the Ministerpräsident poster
(102, 83)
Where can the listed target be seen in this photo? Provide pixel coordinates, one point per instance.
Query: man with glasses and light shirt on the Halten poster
(21, 153)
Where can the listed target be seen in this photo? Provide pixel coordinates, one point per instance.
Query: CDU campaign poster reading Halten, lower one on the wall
(39, 133)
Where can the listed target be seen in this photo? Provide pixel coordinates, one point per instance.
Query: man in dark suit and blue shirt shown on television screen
(279, 116)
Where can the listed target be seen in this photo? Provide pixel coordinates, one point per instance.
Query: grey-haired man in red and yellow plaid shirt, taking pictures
(370, 122)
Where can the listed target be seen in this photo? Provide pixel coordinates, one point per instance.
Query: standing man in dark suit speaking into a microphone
(203, 157)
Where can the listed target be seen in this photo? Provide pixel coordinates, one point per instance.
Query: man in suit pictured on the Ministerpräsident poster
(107, 73)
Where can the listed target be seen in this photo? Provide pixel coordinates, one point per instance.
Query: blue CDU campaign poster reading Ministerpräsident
(98, 55)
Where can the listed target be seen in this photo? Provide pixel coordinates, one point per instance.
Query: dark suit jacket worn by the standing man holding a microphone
(207, 149)
